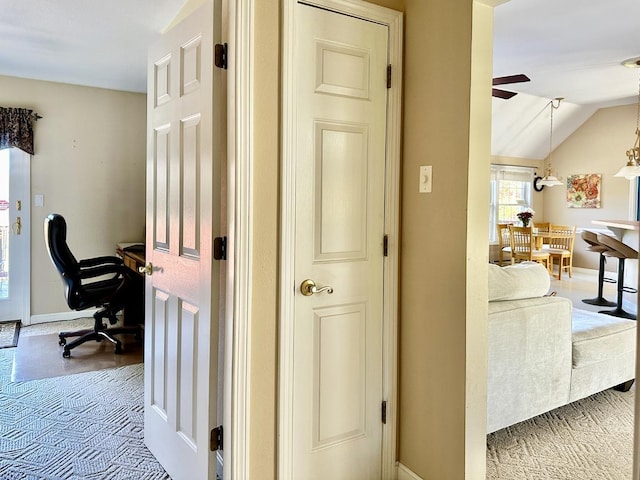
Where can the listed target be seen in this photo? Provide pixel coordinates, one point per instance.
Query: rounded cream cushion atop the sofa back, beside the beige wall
(514, 282)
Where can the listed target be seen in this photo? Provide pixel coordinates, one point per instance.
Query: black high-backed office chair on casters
(102, 282)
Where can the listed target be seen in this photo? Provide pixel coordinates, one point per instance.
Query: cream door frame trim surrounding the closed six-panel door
(394, 21)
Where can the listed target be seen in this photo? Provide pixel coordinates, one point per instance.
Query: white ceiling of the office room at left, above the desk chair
(99, 43)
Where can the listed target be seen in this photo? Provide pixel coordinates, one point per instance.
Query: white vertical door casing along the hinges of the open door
(240, 237)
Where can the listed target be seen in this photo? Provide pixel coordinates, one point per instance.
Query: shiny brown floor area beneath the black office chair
(40, 356)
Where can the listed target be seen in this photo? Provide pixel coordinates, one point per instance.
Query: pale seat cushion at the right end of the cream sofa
(597, 337)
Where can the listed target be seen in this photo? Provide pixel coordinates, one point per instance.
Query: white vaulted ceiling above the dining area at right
(568, 48)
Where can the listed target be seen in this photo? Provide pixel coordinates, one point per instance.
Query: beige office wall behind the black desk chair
(89, 164)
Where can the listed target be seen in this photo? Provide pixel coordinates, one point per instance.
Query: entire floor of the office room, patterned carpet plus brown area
(80, 426)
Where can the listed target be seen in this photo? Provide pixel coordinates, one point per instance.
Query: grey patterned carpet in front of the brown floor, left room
(87, 426)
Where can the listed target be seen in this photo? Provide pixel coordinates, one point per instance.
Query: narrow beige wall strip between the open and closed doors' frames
(264, 328)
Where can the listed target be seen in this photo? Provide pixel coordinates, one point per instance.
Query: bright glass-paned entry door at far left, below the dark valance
(14, 235)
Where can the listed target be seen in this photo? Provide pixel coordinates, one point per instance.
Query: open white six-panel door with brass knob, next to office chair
(183, 208)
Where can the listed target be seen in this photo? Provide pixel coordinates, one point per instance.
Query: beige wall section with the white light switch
(438, 439)
